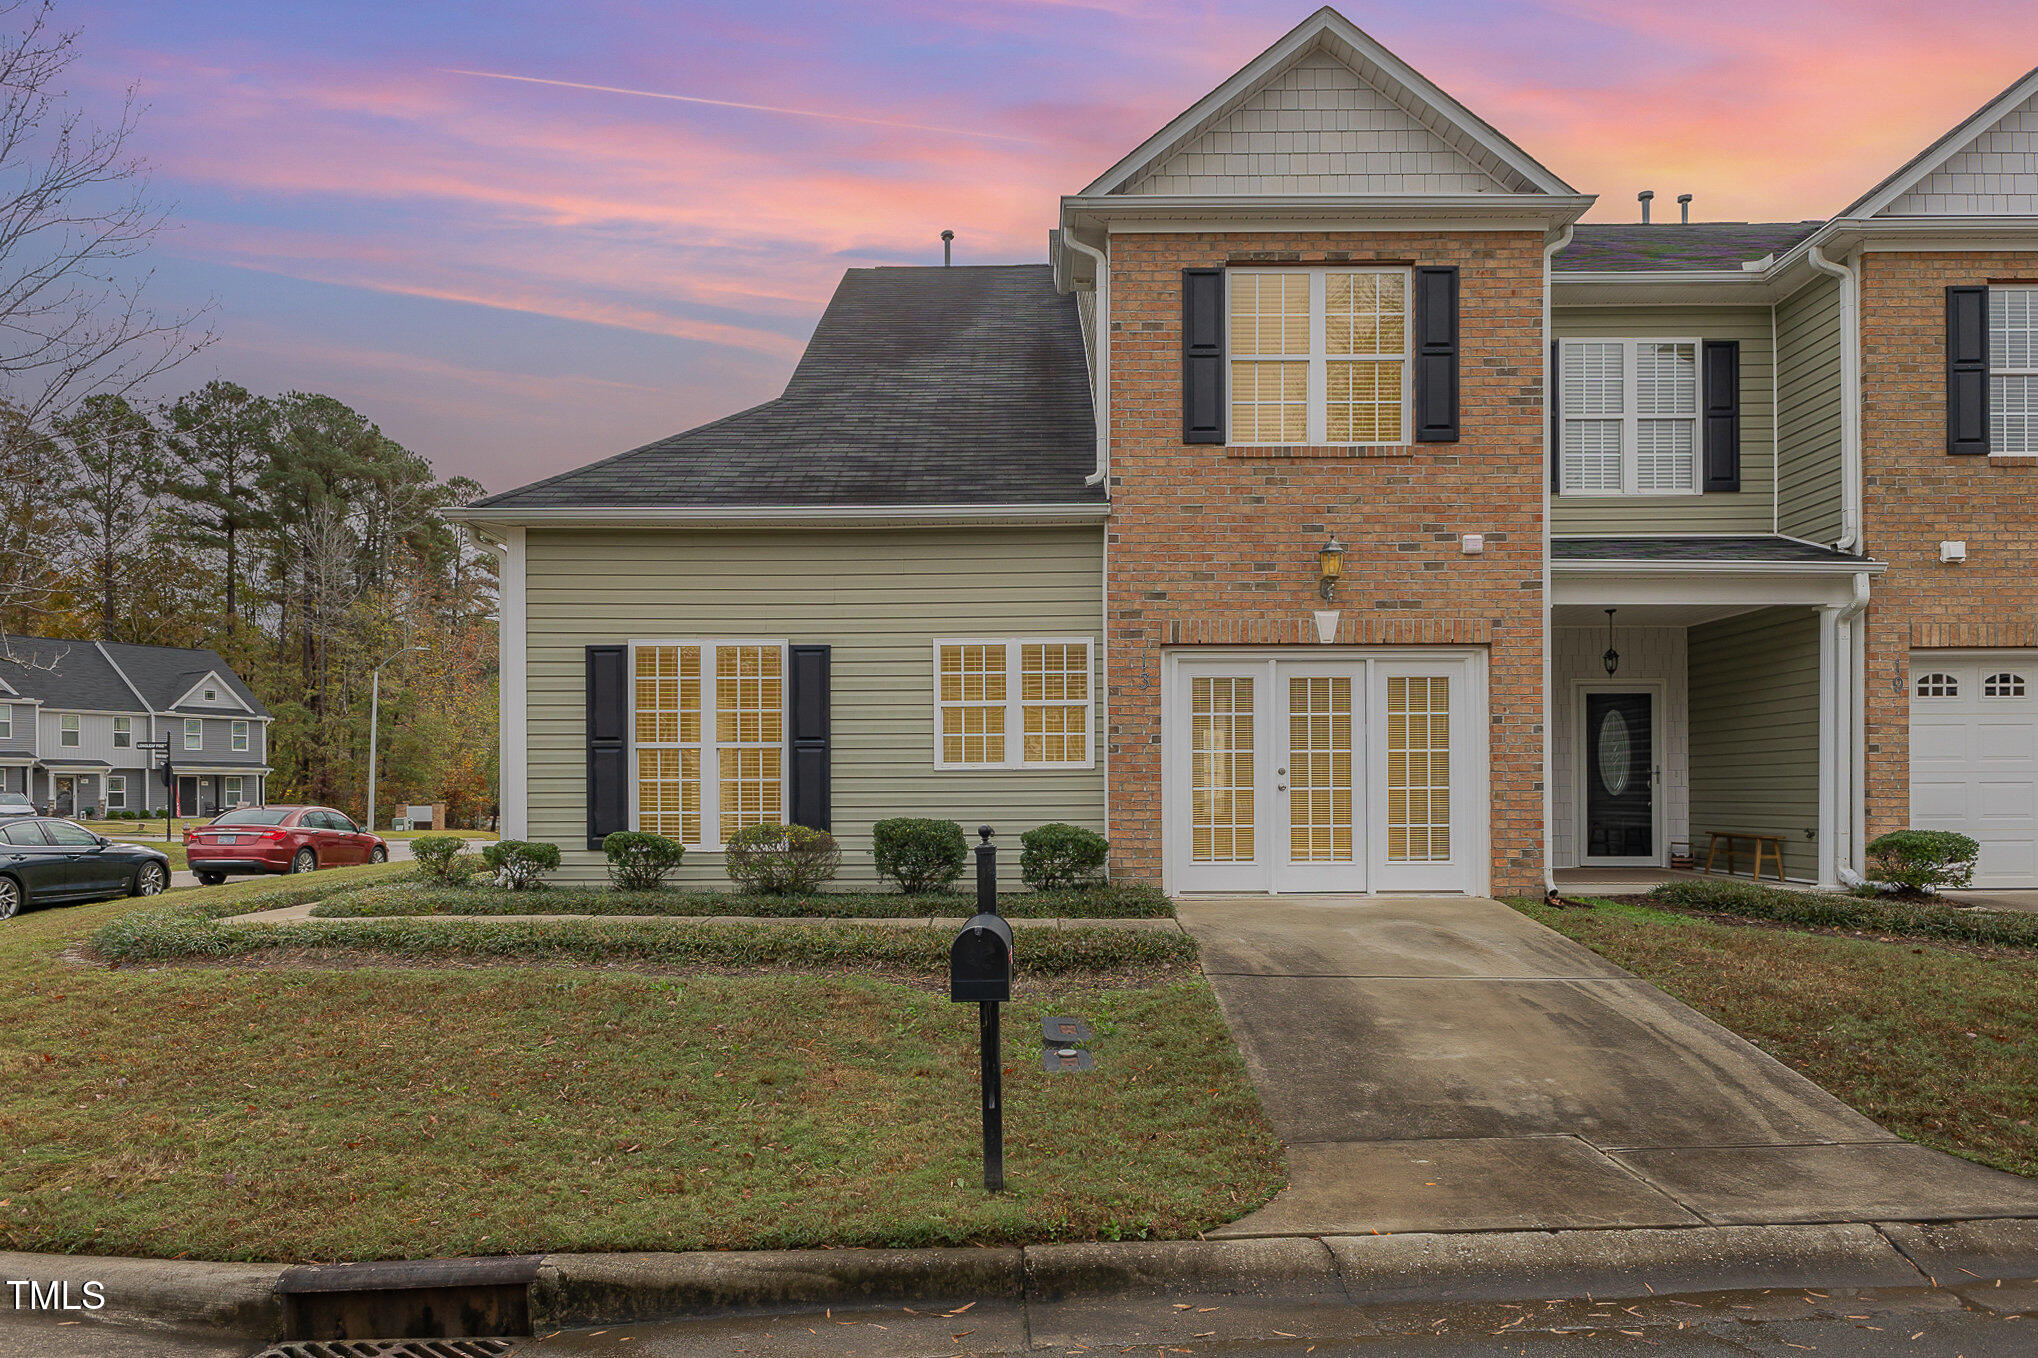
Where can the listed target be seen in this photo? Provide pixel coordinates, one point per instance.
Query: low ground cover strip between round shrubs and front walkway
(419, 898)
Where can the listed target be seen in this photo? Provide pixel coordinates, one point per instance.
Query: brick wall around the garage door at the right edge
(1917, 497)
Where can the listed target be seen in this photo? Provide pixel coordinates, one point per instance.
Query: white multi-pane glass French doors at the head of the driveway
(1344, 774)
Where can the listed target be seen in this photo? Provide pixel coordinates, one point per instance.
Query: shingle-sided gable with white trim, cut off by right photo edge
(1957, 168)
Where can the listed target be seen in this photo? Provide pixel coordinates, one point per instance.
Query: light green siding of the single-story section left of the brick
(879, 598)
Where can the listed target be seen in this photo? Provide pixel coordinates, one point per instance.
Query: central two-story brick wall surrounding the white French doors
(1210, 545)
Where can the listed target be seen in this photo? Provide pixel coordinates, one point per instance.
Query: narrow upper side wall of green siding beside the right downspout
(1809, 417)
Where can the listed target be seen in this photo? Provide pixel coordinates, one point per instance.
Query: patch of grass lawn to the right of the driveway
(1937, 1045)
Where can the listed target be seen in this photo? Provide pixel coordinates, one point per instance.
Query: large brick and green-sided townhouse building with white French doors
(1338, 513)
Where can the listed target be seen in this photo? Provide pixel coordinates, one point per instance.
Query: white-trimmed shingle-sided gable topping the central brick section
(1328, 111)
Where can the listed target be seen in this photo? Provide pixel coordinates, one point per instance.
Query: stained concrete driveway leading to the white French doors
(1446, 1063)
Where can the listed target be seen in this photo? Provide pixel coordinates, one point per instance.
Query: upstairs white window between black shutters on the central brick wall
(1320, 356)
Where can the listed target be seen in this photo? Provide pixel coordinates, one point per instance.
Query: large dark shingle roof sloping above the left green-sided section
(918, 388)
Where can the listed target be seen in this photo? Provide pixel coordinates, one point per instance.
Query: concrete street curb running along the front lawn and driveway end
(1417, 1267)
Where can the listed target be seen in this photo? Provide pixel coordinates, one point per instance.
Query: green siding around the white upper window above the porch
(1748, 511)
